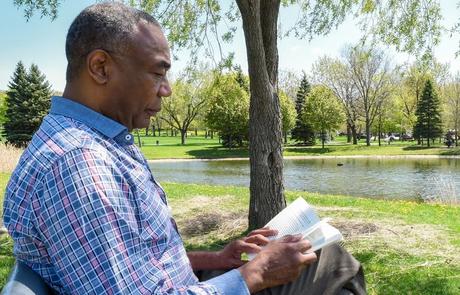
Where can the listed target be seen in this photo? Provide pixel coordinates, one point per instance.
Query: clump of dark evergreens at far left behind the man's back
(27, 102)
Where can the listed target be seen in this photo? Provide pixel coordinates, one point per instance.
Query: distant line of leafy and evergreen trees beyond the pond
(358, 94)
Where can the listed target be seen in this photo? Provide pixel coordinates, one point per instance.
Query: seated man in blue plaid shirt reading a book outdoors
(86, 213)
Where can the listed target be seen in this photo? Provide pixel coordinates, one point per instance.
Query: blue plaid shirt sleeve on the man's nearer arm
(92, 237)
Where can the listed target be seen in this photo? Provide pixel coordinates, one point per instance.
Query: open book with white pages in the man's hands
(300, 218)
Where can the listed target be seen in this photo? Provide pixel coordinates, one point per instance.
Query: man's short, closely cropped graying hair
(109, 26)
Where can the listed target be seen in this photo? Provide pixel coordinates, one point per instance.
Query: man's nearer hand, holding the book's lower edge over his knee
(280, 262)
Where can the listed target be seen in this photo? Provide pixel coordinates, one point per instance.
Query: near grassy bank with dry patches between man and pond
(405, 247)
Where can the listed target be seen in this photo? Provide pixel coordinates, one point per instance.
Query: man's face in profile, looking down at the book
(139, 79)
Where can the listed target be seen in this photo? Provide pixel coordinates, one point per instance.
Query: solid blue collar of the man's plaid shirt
(106, 126)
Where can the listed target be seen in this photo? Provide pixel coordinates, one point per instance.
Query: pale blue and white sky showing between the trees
(42, 42)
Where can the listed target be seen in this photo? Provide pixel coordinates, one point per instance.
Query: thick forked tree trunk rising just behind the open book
(265, 136)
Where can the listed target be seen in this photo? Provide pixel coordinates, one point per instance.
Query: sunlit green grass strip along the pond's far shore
(199, 147)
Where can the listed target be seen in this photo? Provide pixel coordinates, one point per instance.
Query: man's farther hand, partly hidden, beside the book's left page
(230, 256)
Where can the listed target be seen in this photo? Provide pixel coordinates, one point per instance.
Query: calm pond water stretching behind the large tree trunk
(384, 177)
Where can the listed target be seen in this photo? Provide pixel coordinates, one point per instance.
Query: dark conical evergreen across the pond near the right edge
(428, 124)
